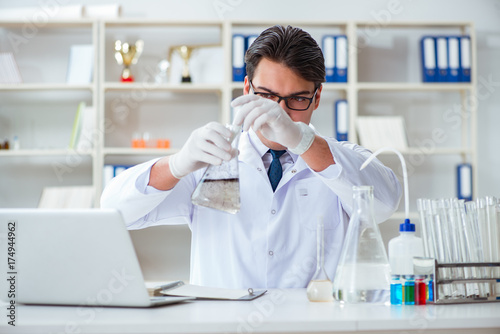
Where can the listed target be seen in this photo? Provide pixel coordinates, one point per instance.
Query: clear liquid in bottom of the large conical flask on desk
(363, 283)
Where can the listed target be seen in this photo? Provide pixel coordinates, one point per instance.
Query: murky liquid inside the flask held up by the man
(218, 194)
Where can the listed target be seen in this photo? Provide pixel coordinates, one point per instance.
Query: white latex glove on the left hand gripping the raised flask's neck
(206, 145)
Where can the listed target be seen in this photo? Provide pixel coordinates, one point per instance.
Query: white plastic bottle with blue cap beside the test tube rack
(402, 249)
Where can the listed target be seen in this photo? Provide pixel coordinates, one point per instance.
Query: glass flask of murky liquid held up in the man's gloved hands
(219, 187)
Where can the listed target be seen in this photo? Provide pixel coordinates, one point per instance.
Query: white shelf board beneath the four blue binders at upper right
(403, 86)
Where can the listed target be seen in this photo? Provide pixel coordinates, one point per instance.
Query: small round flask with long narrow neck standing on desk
(320, 287)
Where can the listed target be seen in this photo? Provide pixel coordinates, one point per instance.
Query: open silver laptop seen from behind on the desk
(74, 257)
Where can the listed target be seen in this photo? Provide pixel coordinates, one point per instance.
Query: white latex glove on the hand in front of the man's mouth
(273, 122)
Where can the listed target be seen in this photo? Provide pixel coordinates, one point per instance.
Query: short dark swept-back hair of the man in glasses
(290, 46)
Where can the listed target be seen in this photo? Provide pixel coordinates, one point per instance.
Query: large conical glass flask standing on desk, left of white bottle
(363, 273)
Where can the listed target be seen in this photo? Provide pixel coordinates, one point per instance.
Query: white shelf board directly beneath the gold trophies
(149, 86)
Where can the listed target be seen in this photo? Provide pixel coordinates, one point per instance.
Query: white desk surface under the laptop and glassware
(279, 311)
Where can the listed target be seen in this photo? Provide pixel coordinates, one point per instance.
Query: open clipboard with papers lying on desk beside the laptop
(182, 289)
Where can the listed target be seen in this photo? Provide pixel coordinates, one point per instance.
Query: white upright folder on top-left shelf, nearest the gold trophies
(81, 64)
